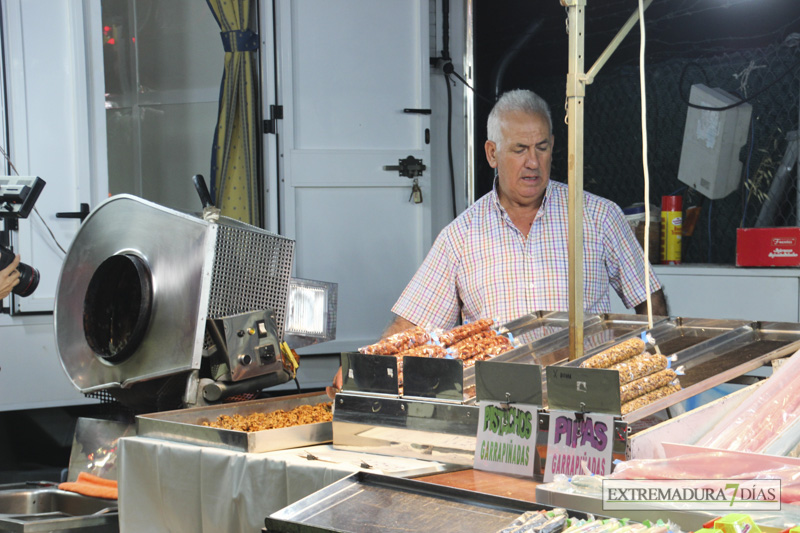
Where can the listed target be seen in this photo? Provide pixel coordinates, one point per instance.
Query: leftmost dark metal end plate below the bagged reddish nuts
(369, 373)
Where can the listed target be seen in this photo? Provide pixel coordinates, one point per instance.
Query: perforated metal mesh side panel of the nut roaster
(251, 271)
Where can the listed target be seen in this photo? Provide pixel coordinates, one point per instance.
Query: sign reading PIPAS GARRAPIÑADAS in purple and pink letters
(578, 439)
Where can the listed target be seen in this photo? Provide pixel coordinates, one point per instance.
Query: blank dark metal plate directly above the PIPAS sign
(592, 390)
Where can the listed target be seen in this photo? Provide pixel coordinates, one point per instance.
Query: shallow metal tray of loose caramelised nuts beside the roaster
(185, 425)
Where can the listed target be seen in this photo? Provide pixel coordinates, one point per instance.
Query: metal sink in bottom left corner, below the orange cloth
(42, 507)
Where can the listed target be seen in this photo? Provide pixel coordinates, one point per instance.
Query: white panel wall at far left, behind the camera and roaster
(55, 133)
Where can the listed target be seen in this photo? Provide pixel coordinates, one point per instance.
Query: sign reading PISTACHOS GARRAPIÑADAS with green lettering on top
(506, 441)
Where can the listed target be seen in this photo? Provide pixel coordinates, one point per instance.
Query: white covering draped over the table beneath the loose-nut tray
(171, 486)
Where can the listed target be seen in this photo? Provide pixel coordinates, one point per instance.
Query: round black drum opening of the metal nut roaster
(116, 310)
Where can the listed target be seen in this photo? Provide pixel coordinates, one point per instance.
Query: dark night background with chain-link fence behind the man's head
(705, 41)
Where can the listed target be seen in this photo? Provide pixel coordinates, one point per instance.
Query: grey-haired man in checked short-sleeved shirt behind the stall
(507, 254)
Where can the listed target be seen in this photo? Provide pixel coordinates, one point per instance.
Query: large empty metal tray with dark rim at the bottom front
(366, 503)
